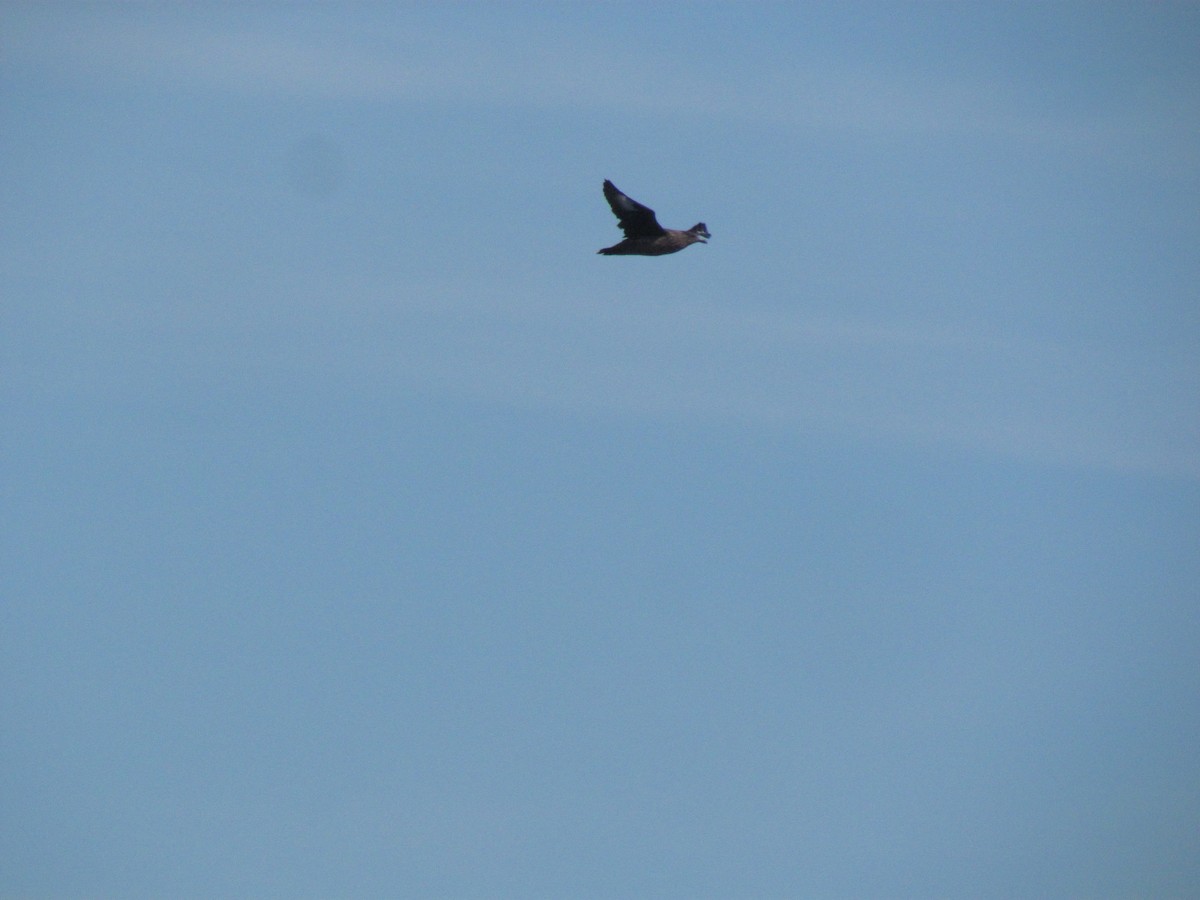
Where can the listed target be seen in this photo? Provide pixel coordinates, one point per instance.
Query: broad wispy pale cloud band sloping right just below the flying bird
(1063, 404)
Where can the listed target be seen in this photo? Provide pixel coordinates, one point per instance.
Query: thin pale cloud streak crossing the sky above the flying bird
(434, 68)
